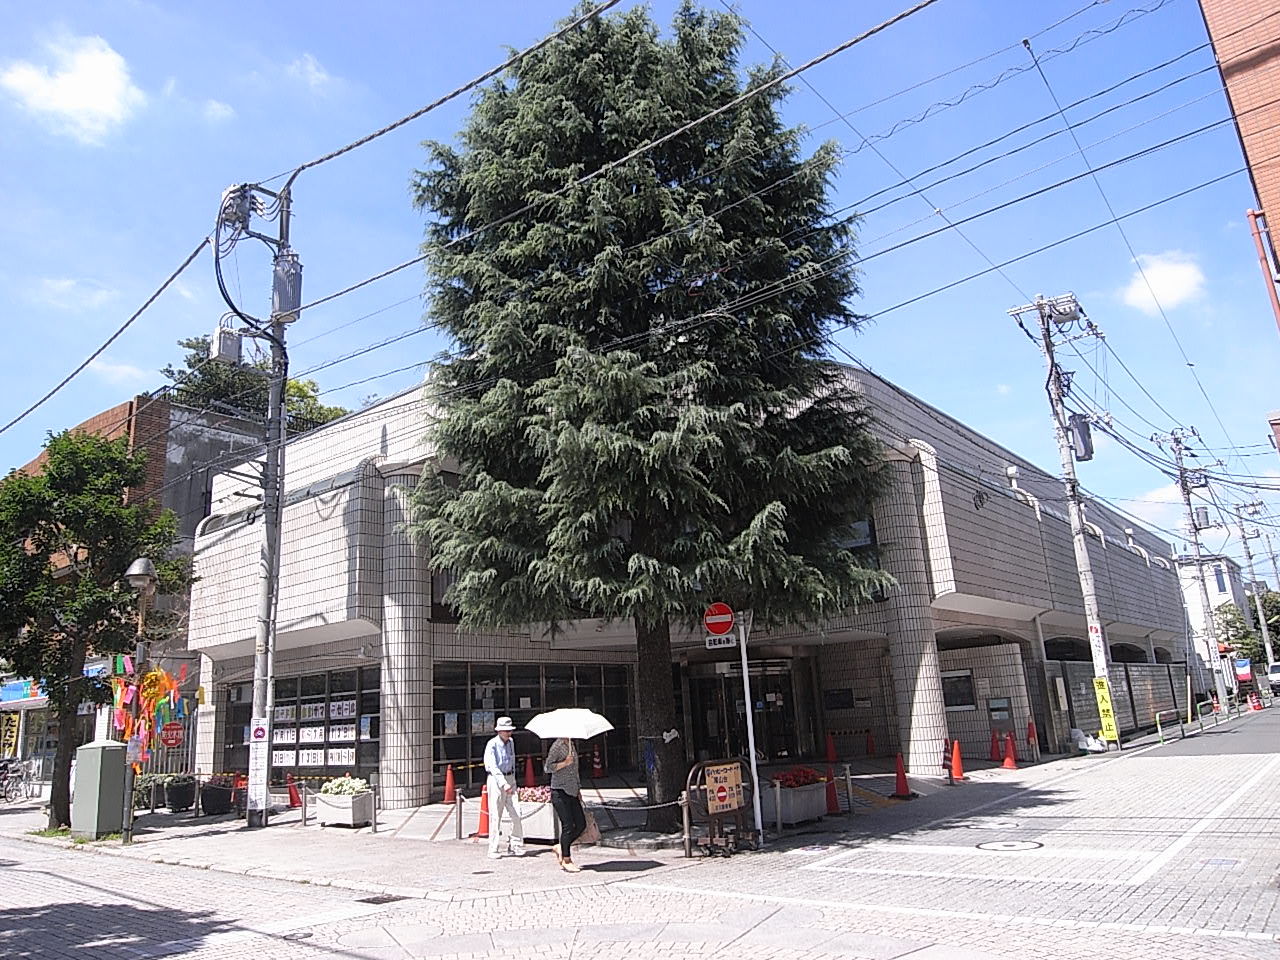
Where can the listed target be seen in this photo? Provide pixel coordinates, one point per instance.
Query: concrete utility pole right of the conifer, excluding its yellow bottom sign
(1063, 314)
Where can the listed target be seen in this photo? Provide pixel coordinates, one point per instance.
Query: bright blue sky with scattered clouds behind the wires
(122, 122)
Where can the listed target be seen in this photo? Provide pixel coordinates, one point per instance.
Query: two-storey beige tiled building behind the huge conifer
(985, 630)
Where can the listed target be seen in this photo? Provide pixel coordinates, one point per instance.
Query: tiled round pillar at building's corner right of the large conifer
(913, 648)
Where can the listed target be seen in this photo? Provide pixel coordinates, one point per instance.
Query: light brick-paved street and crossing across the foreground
(1163, 853)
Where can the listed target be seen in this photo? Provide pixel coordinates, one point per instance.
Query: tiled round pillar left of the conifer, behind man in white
(405, 765)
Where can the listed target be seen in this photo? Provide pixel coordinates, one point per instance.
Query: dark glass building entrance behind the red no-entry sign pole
(784, 710)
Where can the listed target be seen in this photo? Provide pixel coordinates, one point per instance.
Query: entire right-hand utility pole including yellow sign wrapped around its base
(1063, 316)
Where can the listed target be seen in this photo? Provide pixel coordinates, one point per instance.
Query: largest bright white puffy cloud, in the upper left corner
(88, 93)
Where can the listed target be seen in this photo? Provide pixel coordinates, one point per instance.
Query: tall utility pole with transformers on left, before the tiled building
(239, 205)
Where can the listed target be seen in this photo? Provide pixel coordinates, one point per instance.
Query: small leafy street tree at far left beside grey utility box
(67, 536)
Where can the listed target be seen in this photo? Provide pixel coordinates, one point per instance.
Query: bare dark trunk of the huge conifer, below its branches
(664, 762)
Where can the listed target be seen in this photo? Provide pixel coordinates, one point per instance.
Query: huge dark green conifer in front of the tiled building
(632, 446)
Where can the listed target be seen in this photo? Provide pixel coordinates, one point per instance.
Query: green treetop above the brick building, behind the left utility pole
(244, 388)
